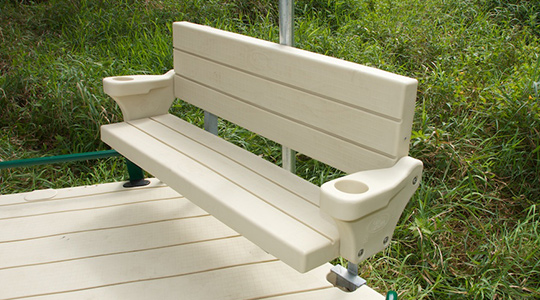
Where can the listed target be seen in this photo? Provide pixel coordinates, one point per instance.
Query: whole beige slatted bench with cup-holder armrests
(352, 117)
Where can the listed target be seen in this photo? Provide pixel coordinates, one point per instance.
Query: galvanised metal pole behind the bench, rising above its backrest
(286, 37)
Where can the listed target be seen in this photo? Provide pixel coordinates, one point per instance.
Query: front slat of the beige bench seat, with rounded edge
(278, 233)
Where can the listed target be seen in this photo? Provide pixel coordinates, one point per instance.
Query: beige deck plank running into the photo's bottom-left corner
(130, 267)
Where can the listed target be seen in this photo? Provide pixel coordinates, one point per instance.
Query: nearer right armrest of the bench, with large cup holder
(366, 206)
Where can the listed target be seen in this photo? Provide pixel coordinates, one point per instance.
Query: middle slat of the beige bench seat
(296, 206)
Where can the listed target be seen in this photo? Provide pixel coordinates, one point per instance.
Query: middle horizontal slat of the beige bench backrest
(343, 121)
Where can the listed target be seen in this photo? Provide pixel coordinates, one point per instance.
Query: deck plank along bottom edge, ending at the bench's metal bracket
(252, 281)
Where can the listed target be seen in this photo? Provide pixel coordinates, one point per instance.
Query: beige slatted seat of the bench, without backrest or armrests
(277, 210)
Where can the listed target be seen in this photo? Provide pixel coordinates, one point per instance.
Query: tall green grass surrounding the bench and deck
(471, 230)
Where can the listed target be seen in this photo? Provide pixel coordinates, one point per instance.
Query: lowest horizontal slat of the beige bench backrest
(327, 148)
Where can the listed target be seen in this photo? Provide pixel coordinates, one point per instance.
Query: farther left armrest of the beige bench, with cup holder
(141, 96)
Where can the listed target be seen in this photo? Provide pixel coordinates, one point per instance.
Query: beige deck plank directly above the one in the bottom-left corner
(90, 244)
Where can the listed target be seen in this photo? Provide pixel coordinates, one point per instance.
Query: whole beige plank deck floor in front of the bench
(108, 242)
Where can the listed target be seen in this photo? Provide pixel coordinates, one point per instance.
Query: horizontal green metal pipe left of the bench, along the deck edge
(57, 159)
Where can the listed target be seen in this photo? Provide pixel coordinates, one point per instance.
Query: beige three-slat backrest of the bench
(349, 116)
